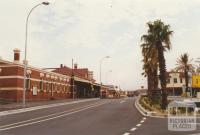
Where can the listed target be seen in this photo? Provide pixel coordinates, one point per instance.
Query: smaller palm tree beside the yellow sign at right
(184, 65)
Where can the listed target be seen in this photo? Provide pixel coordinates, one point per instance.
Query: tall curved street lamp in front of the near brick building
(25, 59)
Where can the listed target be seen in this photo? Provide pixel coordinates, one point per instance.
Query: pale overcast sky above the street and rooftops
(88, 30)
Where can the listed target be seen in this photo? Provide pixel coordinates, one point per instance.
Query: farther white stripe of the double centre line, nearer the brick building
(48, 115)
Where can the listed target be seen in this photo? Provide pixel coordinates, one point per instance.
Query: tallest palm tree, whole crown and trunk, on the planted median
(158, 39)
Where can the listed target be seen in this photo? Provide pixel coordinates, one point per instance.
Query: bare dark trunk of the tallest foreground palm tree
(162, 69)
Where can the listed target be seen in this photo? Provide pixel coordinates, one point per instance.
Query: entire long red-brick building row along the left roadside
(49, 83)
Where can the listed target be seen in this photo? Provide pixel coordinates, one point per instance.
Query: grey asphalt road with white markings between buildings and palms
(100, 117)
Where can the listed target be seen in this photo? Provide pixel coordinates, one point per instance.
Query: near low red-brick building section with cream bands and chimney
(41, 84)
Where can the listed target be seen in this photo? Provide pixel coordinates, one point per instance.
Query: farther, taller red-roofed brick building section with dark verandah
(82, 81)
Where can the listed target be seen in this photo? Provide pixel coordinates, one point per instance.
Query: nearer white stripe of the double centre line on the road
(31, 123)
